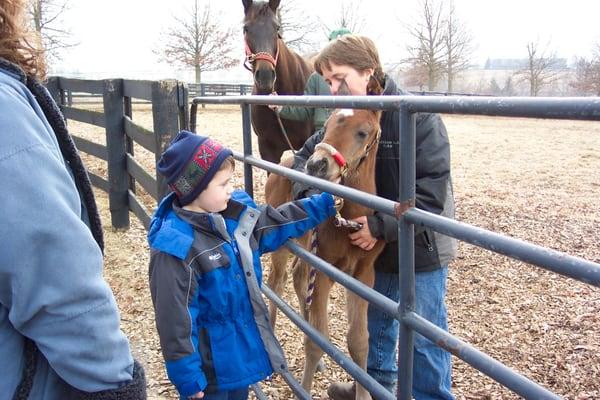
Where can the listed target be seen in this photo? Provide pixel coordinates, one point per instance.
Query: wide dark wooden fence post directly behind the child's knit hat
(166, 119)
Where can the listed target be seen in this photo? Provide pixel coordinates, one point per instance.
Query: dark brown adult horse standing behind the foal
(275, 68)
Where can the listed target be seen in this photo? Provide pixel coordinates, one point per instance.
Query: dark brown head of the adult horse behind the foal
(261, 36)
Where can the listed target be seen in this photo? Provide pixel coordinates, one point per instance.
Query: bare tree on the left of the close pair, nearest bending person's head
(428, 49)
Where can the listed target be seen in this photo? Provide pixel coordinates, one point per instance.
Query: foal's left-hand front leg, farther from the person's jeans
(318, 319)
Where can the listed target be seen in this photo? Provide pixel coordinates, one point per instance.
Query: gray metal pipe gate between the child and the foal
(408, 216)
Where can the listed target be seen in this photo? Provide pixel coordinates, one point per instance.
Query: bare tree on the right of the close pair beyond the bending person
(458, 42)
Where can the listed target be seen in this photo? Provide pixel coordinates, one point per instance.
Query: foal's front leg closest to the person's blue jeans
(358, 334)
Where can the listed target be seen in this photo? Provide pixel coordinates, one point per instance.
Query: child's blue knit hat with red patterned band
(189, 164)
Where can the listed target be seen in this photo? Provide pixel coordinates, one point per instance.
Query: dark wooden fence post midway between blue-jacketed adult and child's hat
(118, 178)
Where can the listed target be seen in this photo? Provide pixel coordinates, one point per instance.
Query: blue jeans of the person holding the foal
(432, 366)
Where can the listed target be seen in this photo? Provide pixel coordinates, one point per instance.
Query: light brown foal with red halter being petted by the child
(355, 135)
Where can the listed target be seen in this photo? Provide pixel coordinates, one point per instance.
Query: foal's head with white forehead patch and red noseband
(350, 136)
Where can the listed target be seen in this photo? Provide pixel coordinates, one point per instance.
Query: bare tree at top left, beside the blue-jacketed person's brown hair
(47, 19)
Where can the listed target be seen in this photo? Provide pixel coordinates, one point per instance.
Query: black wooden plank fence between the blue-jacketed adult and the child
(169, 114)
